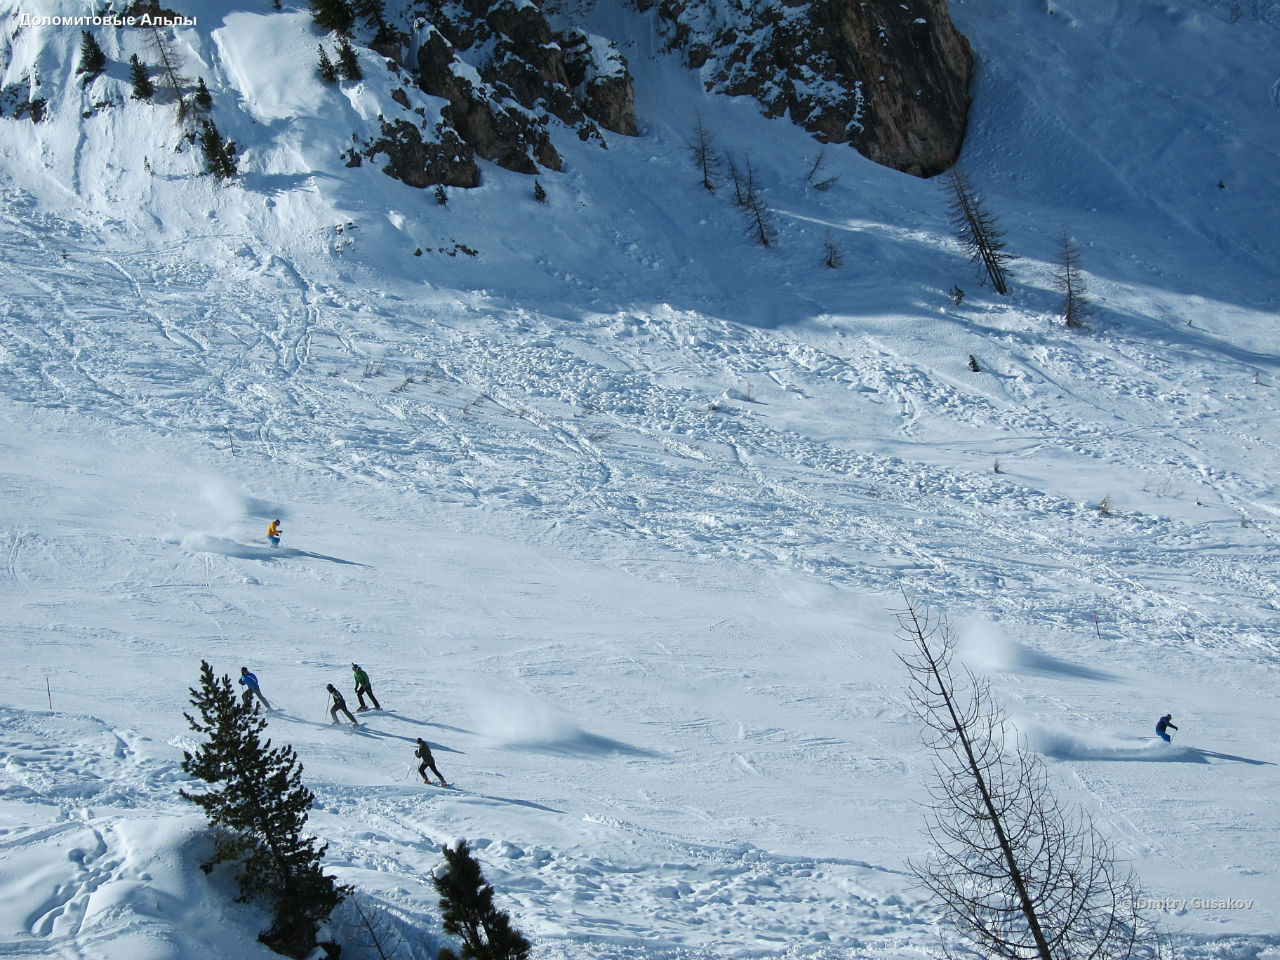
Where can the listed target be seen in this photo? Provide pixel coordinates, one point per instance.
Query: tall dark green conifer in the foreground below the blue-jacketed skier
(260, 806)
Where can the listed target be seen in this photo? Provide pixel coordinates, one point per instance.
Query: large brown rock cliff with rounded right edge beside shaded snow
(890, 77)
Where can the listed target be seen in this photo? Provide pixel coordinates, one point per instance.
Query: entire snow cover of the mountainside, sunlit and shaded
(616, 511)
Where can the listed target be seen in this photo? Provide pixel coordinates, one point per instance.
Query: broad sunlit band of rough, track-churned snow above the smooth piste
(538, 427)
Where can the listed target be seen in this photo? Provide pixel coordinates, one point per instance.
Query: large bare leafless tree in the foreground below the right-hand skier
(1018, 876)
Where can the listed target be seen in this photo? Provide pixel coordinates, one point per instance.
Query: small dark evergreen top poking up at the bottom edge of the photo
(468, 911)
